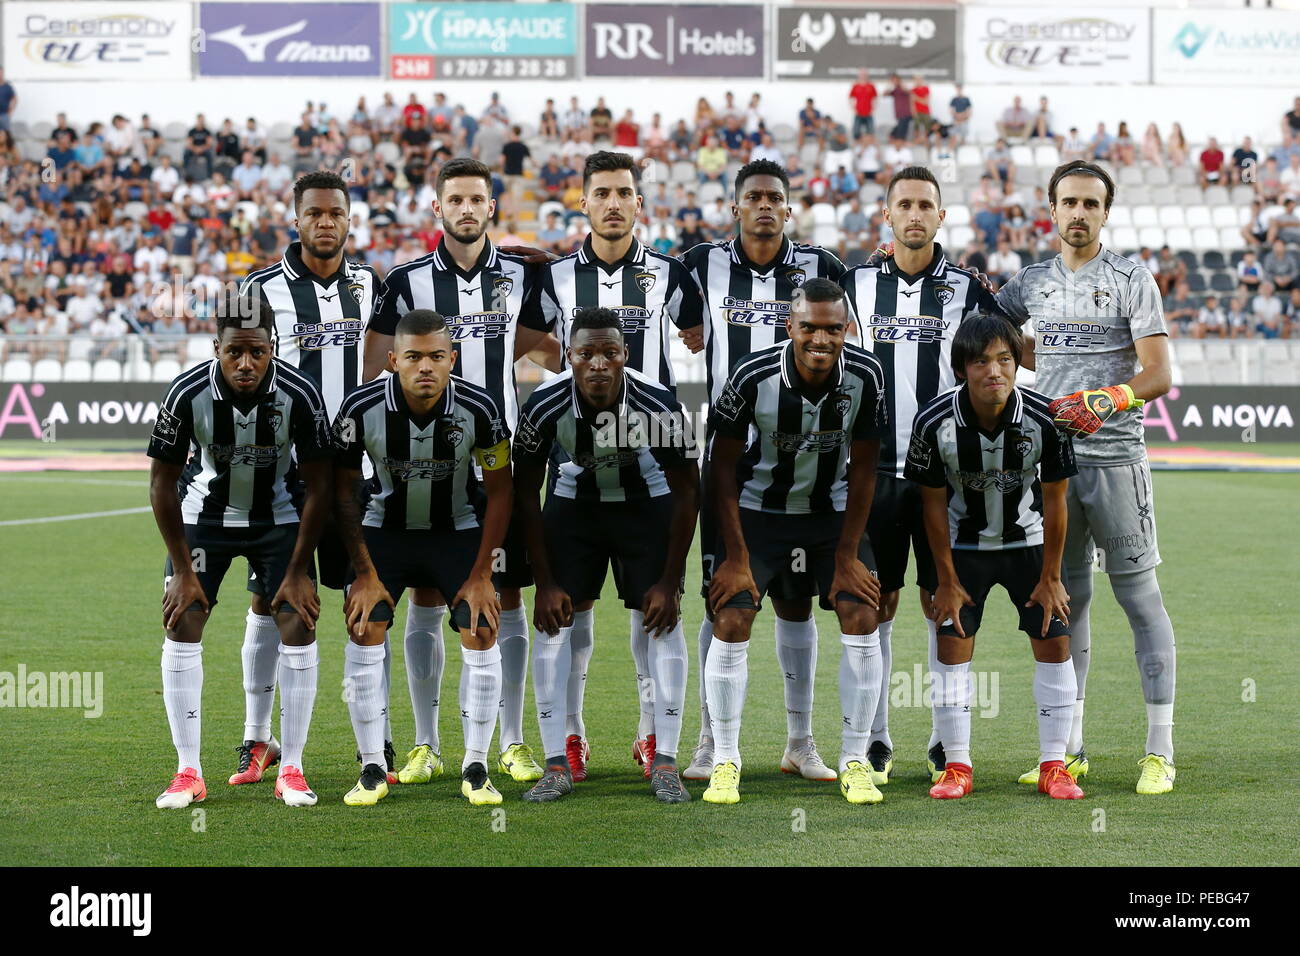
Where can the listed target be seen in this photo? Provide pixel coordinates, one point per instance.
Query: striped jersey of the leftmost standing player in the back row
(320, 325)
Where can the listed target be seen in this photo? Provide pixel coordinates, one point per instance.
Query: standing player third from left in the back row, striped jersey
(651, 293)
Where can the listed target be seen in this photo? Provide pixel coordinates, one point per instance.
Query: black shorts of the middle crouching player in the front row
(584, 539)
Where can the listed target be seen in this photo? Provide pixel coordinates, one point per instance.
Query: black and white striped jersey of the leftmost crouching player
(240, 474)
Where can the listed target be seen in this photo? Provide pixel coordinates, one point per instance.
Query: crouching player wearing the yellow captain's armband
(421, 429)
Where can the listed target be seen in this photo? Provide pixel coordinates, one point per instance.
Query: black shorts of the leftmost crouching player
(268, 551)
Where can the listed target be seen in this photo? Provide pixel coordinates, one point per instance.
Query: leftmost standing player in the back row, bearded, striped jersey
(322, 305)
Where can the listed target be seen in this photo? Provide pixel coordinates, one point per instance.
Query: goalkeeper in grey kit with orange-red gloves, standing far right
(1100, 349)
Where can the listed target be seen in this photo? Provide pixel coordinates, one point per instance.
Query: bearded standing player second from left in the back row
(480, 292)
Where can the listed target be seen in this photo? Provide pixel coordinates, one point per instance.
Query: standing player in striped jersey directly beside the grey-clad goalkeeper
(911, 305)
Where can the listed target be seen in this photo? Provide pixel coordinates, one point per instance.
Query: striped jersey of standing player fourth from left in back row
(747, 306)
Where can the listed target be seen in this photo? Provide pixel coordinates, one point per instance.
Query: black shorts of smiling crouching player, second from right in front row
(800, 548)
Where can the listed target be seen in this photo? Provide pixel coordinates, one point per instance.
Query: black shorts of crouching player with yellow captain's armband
(423, 560)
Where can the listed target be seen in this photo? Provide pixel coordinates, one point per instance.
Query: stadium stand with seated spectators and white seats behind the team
(109, 269)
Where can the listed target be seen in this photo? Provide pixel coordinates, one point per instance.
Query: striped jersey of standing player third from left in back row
(649, 292)
